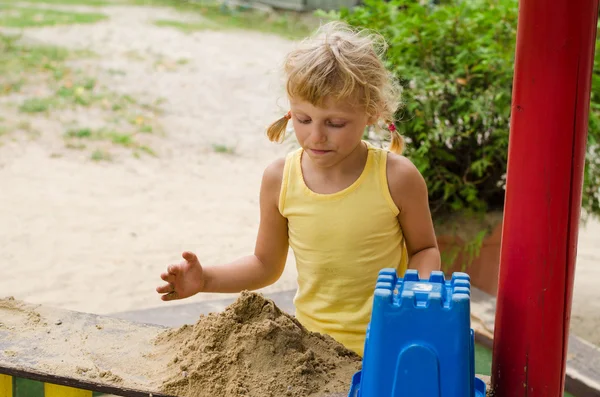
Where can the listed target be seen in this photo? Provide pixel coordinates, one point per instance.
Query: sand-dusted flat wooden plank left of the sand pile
(79, 350)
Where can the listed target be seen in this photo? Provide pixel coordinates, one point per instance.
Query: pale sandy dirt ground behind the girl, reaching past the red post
(94, 236)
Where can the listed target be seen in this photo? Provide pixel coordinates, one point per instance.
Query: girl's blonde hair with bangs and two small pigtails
(345, 64)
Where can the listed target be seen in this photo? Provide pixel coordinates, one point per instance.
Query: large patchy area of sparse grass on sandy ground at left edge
(46, 67)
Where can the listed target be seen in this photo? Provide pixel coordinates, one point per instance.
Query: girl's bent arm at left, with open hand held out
(251, 272)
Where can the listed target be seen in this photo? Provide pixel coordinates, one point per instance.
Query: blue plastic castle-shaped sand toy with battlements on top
(419, 342)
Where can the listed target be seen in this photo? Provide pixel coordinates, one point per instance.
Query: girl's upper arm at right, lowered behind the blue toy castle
(409, 192)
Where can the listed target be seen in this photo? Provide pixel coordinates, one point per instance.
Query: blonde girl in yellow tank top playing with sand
(346, 208)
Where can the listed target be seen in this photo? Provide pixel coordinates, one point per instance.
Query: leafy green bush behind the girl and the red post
(455, 62)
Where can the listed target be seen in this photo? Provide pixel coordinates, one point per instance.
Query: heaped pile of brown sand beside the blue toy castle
(254, 349)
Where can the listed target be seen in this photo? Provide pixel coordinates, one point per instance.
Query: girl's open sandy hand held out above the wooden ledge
(184, 280)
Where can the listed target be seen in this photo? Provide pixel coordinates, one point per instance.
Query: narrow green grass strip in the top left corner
(22, 17)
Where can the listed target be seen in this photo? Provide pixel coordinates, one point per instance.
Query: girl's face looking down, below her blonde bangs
(328, 134)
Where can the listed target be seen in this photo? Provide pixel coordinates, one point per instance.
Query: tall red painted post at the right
(554, 58)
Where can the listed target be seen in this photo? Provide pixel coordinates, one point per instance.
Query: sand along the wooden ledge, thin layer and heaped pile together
(250, 349)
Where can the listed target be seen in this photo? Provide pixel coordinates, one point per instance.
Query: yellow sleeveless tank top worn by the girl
(340, 242)
